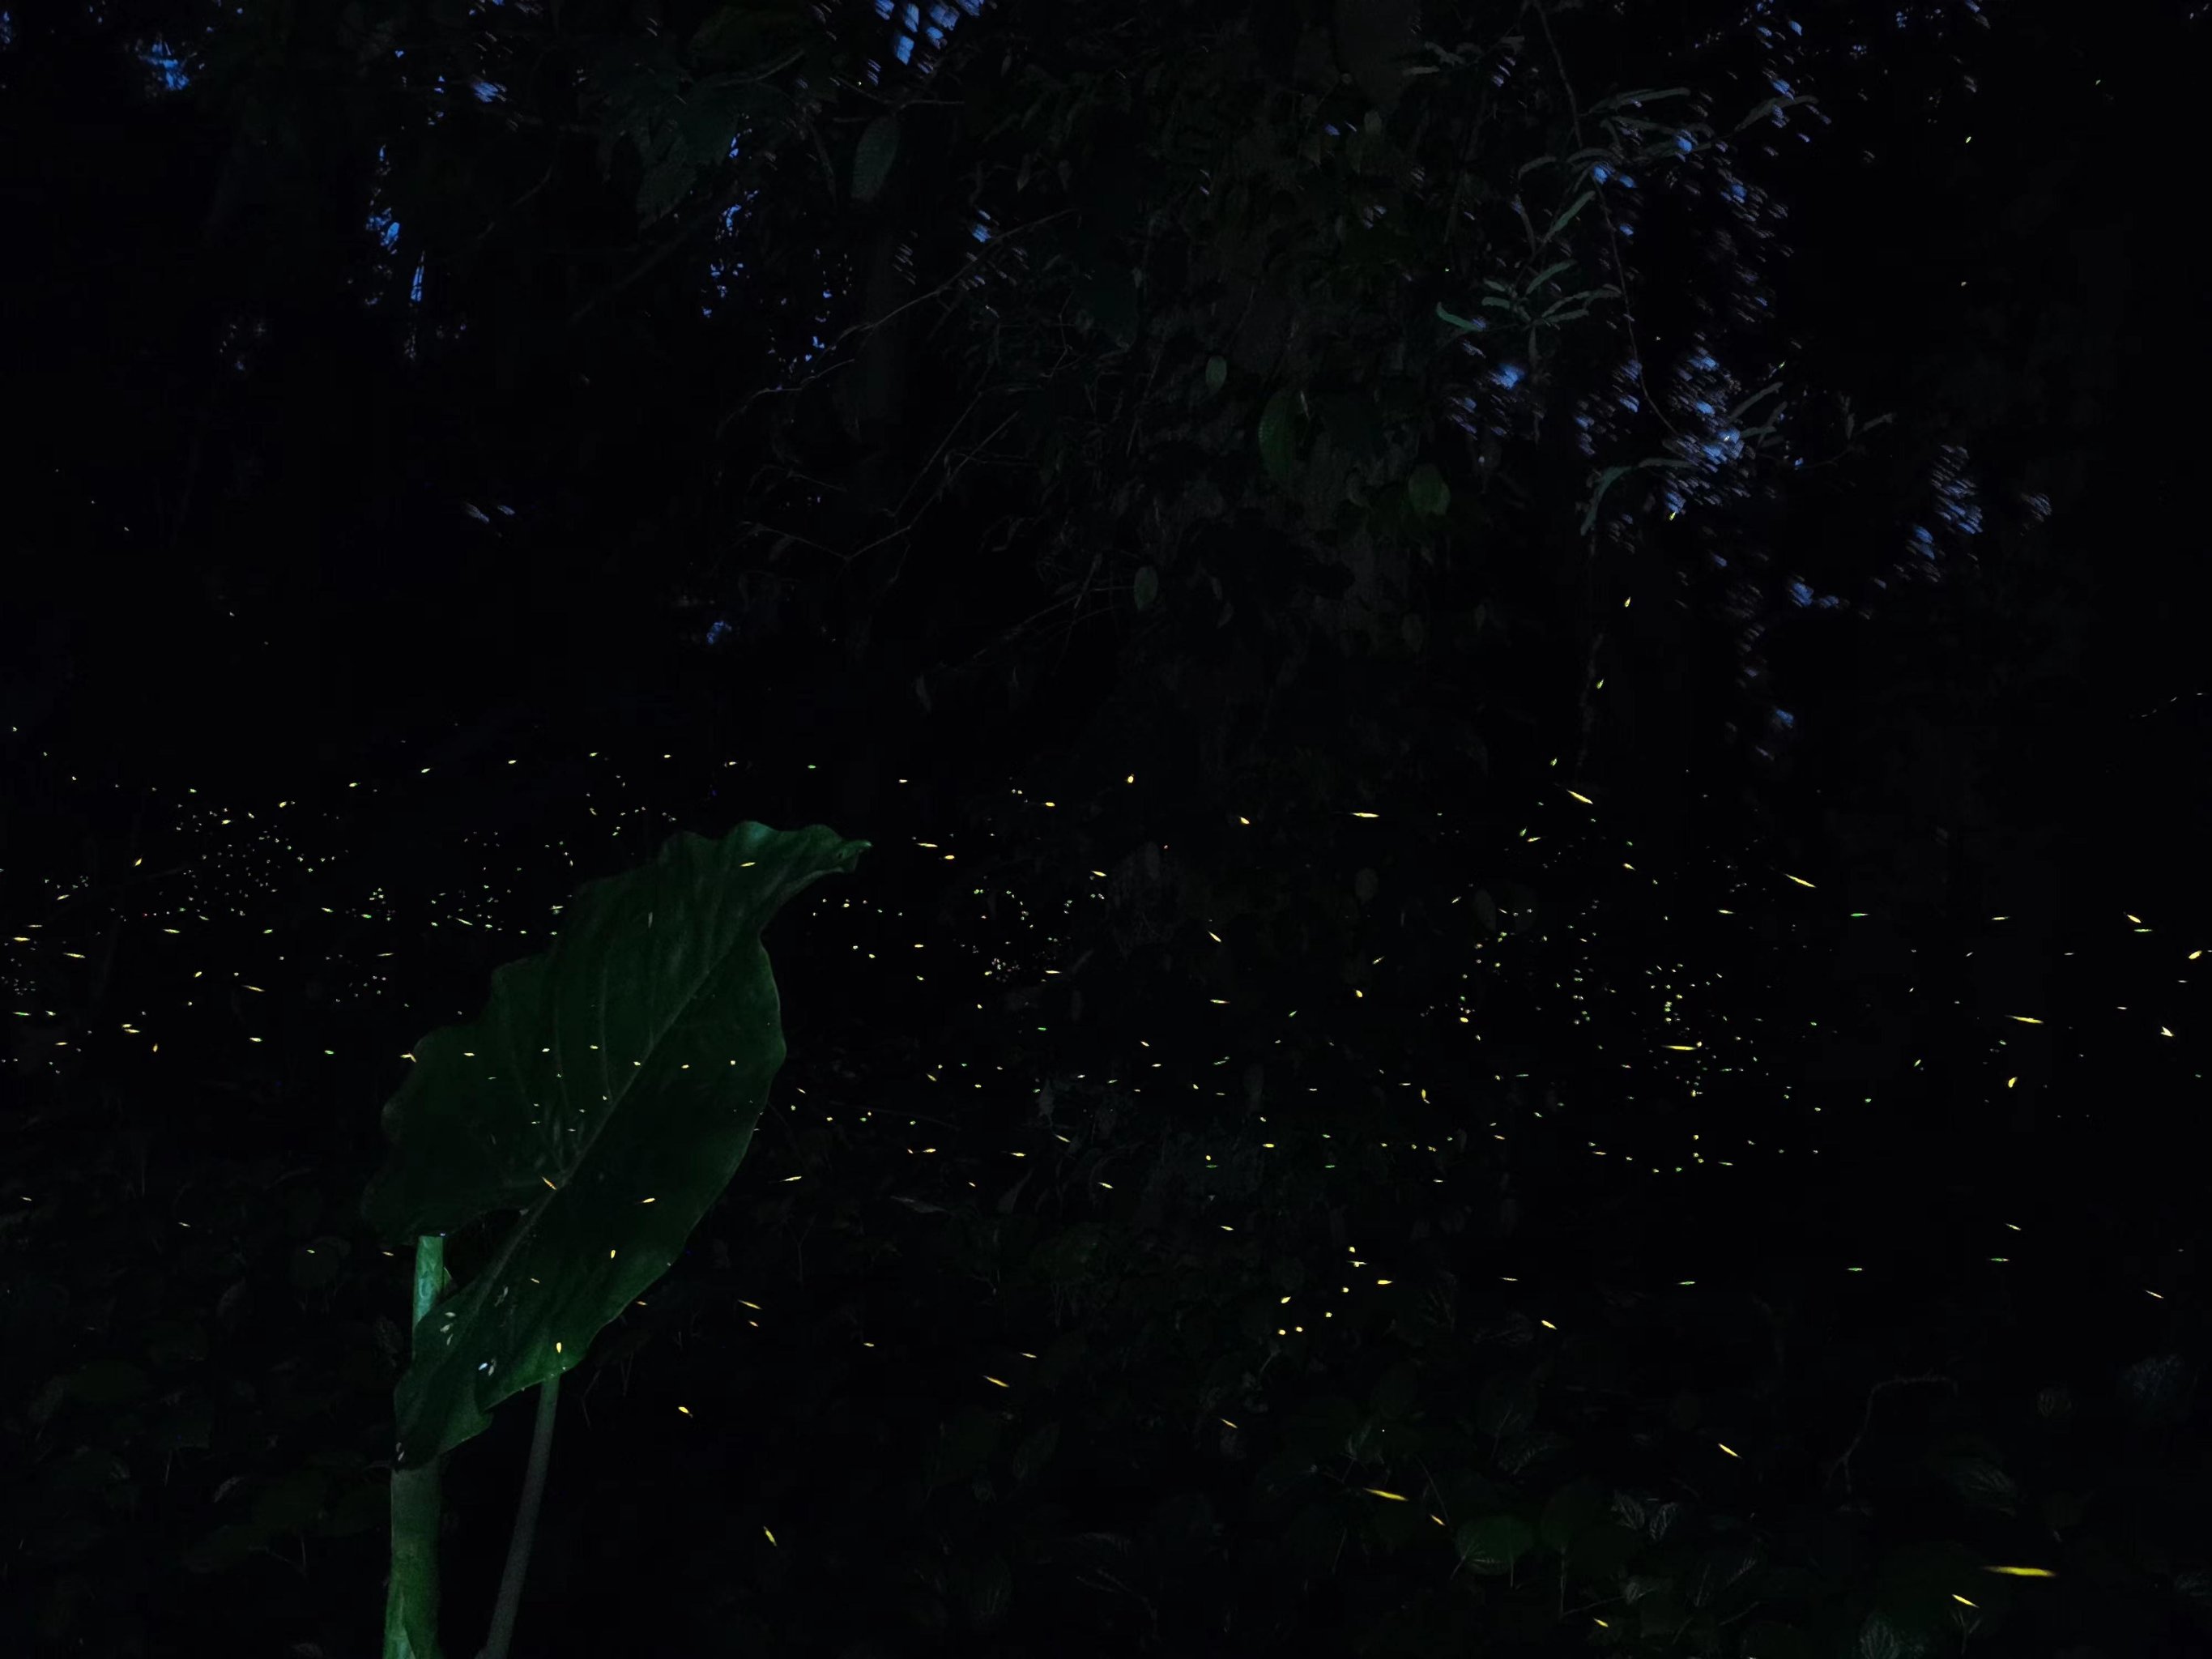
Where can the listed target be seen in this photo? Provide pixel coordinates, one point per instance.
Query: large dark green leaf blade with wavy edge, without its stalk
(607, 1096)
